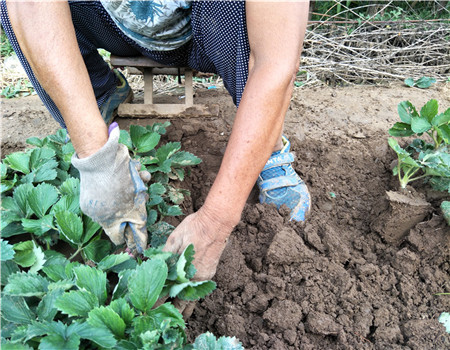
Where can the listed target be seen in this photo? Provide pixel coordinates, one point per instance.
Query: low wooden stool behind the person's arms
(161, 110)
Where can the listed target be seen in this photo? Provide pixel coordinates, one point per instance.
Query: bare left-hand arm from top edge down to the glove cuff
(47, 38)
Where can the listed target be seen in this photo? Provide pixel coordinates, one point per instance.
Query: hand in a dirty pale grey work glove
(113, 194)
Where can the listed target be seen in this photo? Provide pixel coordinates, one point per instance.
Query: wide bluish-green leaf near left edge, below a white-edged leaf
(26, 285)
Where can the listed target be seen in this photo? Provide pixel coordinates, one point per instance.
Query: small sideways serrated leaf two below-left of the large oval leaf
(77, 303)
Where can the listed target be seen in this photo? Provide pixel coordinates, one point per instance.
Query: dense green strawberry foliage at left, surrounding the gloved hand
(53, 301)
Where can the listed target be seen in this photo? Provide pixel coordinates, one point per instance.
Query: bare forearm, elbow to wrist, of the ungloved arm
(258, 124)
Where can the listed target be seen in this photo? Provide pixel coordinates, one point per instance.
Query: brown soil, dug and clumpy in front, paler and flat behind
(332, 282)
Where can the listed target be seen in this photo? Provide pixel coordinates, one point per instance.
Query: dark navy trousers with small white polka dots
(219, 45)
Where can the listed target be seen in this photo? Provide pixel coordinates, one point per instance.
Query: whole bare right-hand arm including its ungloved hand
(275, 32)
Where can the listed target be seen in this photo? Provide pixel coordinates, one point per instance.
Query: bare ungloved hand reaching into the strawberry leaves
(209, 238)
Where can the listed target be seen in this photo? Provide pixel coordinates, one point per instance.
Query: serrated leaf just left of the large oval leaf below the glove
(93, 280)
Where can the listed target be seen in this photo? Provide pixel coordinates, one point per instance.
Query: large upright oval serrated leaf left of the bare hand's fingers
(145, 285)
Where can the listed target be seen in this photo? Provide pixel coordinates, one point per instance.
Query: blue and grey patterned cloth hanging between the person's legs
(158, 25)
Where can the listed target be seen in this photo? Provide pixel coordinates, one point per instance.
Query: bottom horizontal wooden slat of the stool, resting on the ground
(167, 110)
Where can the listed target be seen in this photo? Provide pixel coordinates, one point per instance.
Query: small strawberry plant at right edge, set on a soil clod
(425, 157)
